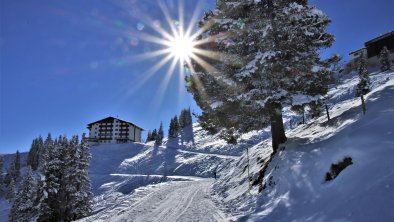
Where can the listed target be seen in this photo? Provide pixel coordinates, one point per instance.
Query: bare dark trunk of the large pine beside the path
(277, 128)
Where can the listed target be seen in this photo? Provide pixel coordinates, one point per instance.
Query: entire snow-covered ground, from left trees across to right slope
(173, 182)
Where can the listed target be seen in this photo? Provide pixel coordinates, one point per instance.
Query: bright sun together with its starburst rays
(178, 44)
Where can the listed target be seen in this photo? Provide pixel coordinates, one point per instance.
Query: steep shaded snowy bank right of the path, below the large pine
(362, 192)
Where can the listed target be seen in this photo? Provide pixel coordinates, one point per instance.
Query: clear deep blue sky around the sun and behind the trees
(64, 64)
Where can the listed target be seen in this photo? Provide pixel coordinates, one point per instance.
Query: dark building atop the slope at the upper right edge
(373, 47)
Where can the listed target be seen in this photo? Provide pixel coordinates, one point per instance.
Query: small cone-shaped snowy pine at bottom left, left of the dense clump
(22, 208)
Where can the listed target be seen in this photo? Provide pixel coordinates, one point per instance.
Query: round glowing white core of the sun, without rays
(181, 47)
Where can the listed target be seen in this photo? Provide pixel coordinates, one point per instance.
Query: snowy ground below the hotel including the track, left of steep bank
(124, 174)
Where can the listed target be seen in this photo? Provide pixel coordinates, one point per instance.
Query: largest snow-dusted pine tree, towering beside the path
(264, 55)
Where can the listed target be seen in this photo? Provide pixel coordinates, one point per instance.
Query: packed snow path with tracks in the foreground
(170, 201)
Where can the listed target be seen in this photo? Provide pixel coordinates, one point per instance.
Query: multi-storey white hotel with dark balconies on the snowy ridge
(114, 130)
